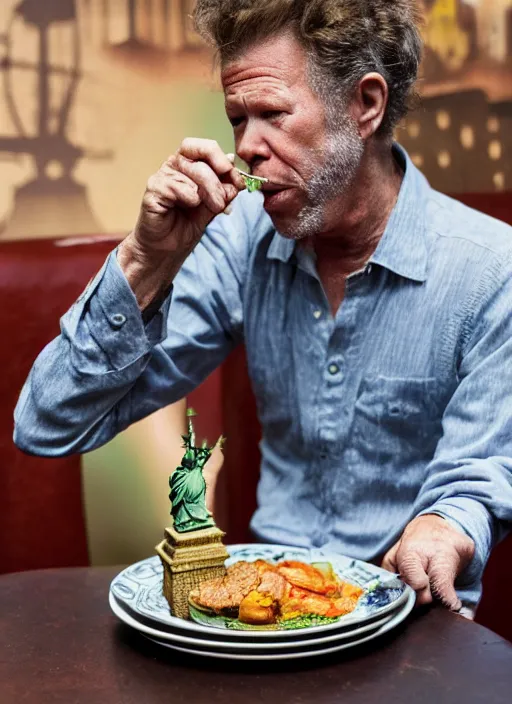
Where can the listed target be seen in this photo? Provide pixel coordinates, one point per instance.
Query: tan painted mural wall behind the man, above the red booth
(95, 93)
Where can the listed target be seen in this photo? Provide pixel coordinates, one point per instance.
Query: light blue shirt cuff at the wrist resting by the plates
(472, 518)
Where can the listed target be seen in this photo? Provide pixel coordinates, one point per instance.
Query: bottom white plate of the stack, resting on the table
(307, 652)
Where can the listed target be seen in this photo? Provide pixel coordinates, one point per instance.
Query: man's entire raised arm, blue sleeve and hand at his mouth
(130, 345)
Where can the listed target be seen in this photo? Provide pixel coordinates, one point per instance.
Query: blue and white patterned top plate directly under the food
(138, 589)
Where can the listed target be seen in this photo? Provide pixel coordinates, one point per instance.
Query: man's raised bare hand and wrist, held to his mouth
(191, 188)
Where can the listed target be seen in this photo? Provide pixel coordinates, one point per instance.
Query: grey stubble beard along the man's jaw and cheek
(341, 159)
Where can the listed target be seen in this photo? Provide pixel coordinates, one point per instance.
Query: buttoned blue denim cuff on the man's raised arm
(109, 310)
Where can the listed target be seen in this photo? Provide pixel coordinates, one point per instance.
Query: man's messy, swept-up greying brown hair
(344, 40)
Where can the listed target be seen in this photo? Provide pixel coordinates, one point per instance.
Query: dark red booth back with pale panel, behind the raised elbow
(43, 520)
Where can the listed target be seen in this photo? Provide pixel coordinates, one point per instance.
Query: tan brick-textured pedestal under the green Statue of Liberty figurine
(188, 559)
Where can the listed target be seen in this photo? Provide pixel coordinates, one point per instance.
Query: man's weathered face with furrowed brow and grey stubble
(281, 131)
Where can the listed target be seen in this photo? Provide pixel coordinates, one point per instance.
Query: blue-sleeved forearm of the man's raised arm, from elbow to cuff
(81, 390)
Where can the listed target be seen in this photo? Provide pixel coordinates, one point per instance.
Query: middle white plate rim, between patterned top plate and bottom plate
(263, 646)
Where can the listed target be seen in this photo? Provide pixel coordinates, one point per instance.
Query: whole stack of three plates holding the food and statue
(136, 598)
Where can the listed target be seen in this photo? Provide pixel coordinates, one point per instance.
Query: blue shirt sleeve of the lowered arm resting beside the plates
(469, 481)
